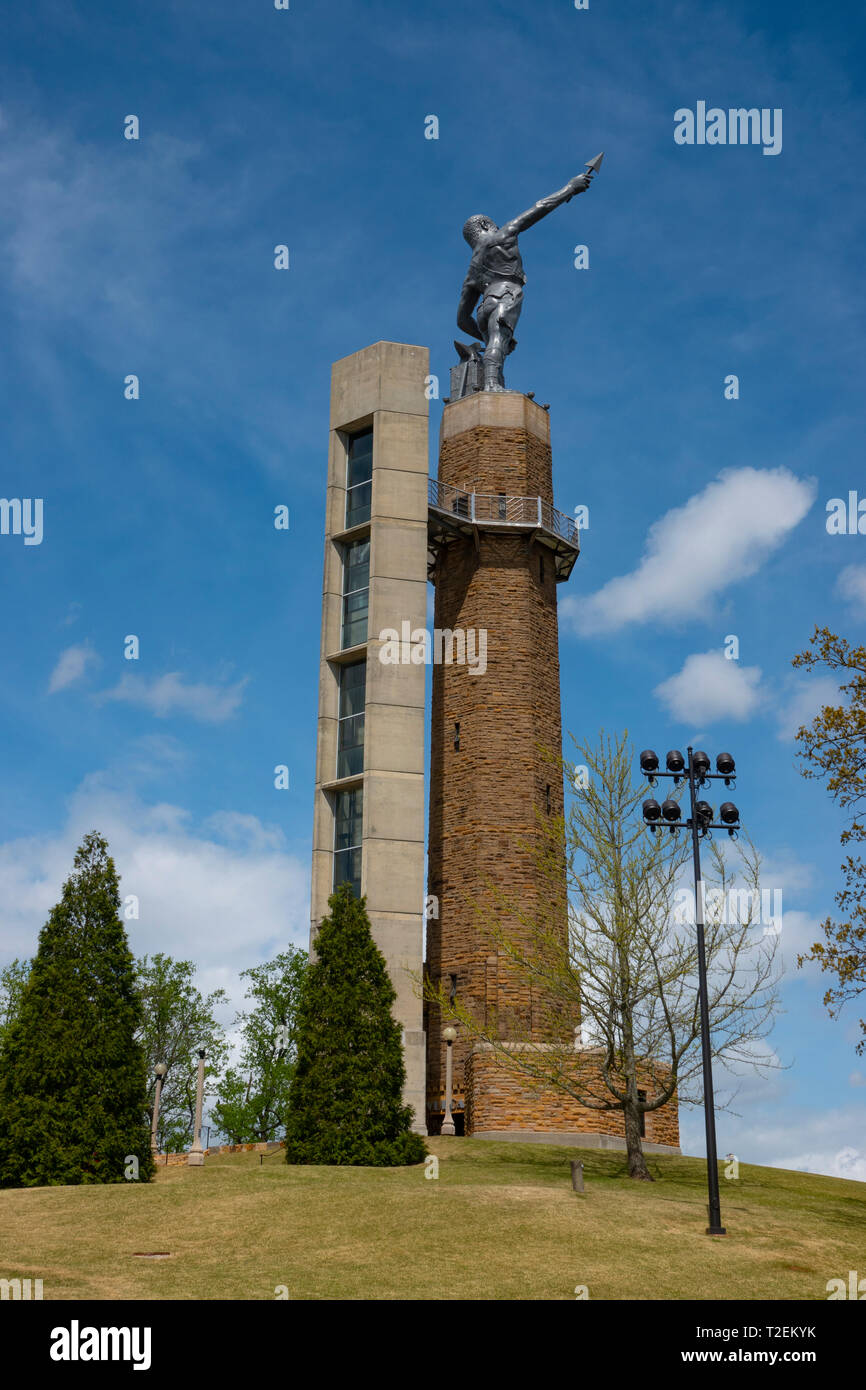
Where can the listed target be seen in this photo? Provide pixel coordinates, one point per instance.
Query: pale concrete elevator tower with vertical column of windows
(369, 812)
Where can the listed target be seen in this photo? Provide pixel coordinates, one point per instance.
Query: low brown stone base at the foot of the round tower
(504, 1104)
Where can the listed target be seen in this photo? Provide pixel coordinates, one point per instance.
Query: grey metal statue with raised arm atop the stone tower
(496, 277)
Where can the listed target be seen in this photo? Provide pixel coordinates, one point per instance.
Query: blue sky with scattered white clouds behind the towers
(156, 258)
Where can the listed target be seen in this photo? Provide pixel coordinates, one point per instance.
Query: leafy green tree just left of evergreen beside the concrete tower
(252, 1099)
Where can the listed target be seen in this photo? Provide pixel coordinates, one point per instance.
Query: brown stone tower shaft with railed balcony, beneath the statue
(498, 553)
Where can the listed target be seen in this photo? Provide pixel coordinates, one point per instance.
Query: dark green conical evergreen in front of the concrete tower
(345, 1099)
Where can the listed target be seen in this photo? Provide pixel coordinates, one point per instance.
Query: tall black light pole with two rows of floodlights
(701, 822)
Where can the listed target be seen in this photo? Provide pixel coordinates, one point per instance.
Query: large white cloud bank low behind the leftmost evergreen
(223, 906)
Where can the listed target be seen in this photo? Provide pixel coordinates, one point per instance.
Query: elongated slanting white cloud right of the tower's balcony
(693, 553)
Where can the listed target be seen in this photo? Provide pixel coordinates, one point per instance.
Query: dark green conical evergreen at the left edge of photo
(73, 1085)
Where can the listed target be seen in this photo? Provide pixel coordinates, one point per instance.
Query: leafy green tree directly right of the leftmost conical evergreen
(176, 1020)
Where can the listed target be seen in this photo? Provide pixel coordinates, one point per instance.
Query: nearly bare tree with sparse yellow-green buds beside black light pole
(625, 965)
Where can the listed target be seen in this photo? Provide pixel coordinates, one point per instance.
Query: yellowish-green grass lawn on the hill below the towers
(500, 1223)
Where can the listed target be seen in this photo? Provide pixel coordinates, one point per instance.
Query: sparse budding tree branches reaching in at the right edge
(835, 749)
